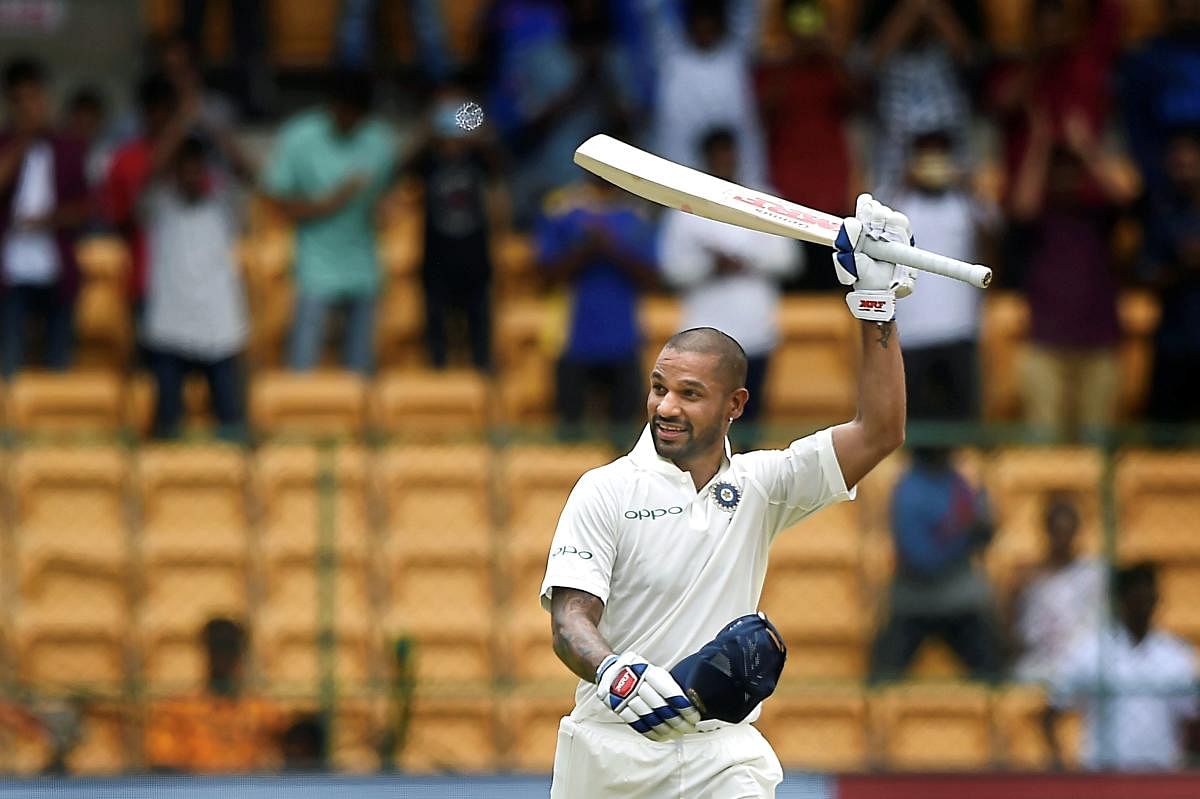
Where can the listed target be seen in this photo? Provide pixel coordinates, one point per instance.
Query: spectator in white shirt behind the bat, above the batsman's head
(729, 277)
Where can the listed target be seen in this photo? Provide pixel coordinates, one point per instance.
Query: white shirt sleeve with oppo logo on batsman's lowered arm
(584, 550)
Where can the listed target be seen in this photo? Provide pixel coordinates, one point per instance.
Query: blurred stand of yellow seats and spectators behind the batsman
(309, 325)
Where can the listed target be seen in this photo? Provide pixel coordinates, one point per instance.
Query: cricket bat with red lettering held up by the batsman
(674, 185)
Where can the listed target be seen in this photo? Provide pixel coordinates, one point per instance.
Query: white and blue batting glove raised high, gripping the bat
(877, 284)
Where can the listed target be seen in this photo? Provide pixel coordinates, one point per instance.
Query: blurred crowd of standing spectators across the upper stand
(1090, 139)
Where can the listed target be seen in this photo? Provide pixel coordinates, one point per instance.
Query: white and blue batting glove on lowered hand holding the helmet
(646, 698)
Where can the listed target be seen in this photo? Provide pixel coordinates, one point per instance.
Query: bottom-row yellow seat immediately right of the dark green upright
(451, 735)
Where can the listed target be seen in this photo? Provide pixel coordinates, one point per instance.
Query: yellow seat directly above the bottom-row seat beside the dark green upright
(451, 648)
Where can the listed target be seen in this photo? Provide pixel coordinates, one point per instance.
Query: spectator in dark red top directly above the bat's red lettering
(807, 99)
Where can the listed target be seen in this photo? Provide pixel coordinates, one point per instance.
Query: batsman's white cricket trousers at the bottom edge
(610, 761)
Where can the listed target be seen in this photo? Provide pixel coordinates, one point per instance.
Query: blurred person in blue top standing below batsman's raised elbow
(939, 524)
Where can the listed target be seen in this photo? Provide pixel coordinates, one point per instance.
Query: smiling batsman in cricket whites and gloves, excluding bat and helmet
(658, 551)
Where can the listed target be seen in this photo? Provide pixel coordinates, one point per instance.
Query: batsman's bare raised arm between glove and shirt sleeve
(879, 428)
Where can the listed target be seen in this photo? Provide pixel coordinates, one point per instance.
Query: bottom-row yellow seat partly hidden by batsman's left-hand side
(531, 718)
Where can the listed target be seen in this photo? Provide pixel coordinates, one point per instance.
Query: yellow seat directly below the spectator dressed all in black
(431, 402)
